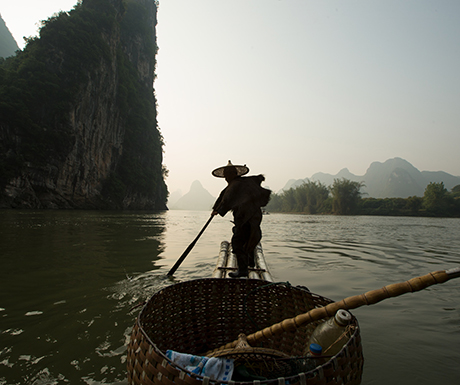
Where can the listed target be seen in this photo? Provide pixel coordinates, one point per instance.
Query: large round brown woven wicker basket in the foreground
(201, 315)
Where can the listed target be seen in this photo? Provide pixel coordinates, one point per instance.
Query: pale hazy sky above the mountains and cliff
(294, 87)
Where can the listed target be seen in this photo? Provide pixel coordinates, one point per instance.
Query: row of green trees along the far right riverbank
(344, 197)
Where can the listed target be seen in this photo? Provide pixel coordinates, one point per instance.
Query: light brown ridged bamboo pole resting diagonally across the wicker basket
(369, 298)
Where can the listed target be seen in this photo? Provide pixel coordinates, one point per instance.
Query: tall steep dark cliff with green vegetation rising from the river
(78, 119)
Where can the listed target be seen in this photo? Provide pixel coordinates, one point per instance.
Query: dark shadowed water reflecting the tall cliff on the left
(68, 281)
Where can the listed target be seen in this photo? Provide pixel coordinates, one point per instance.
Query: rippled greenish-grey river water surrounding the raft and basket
(69, 280)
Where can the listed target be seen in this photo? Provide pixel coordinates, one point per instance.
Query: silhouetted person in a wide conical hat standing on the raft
(245, 197)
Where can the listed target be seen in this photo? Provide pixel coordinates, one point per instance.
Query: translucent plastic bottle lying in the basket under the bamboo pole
(331, 334)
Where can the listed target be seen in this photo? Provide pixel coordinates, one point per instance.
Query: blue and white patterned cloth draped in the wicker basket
(215, 368)
